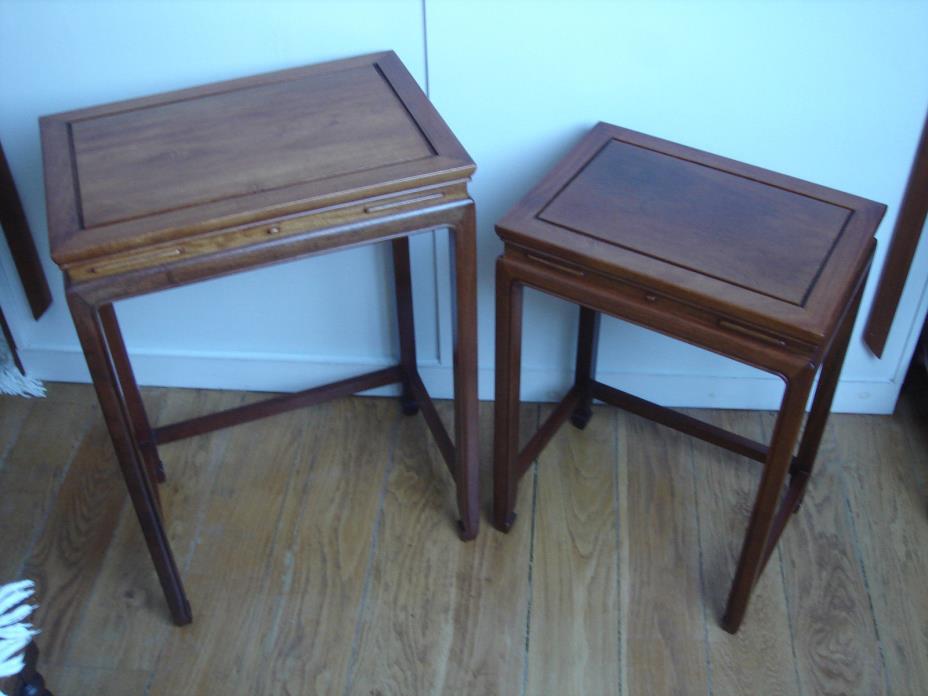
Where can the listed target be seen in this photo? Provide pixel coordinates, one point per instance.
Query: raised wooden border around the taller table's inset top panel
(451, 162)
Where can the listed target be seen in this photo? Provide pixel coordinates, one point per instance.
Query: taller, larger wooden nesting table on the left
(172, 189)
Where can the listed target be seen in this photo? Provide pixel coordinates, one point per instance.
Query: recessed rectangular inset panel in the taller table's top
(248, 140)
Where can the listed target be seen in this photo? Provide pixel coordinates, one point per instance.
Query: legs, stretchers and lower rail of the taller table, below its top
(136, 442)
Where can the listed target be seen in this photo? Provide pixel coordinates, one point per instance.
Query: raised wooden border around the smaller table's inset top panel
(813, 322)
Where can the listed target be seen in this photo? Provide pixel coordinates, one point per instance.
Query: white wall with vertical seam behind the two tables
(832, 92)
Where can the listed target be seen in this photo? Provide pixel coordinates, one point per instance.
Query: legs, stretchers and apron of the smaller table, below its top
(516, 270)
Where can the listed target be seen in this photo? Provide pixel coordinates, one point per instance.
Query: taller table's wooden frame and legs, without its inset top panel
(180, 245)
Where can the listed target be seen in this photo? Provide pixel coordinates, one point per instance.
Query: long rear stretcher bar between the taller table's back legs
(276, 405)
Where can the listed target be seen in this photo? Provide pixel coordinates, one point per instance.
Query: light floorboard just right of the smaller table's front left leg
(573, 644)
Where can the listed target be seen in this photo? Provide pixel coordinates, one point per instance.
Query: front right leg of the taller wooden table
(466, 471)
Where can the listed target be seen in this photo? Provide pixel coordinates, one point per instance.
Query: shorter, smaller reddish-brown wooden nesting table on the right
(753, 265)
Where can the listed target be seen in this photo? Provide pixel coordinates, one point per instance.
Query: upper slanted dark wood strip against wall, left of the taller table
(22, 247)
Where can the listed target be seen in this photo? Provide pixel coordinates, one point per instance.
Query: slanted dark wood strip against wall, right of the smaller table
(912, 213)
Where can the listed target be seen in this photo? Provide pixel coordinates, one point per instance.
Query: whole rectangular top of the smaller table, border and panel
(775, 250)
